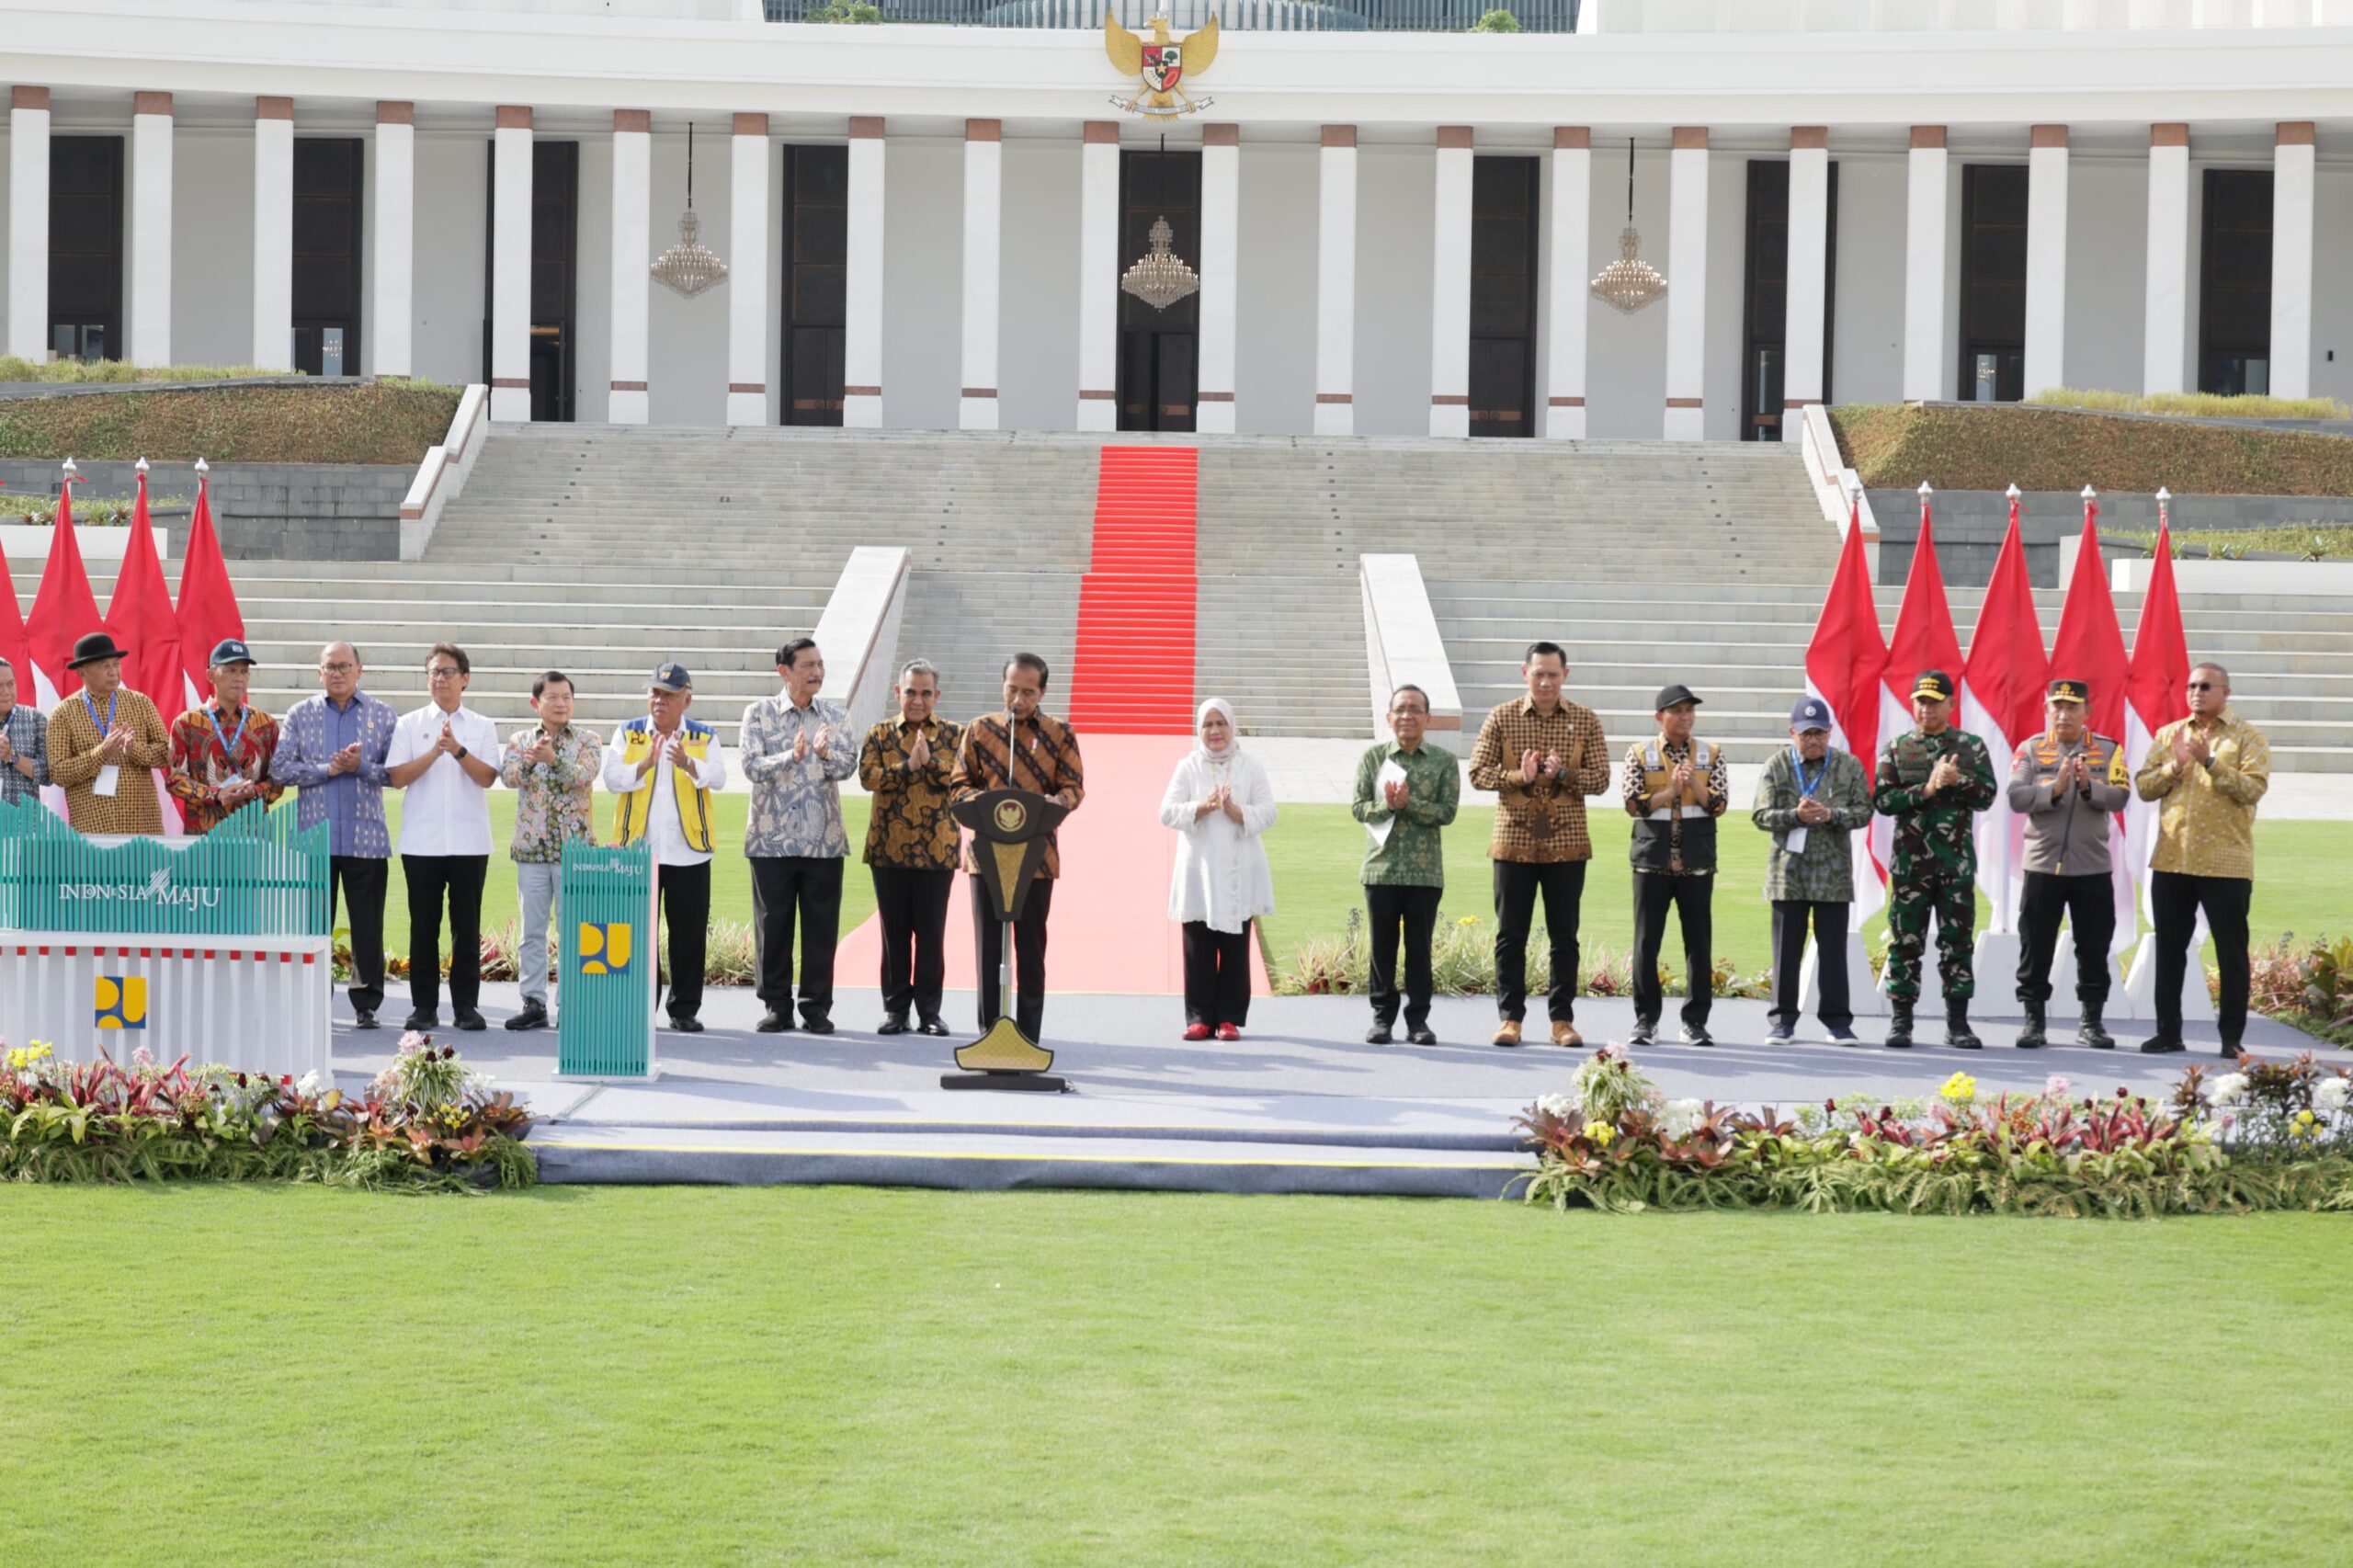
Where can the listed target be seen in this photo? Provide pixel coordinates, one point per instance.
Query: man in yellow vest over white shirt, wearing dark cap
(662, 771)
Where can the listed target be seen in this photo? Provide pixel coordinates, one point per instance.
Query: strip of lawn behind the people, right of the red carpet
(2302, 870)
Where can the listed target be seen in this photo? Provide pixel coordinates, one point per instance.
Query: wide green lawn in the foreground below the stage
(775, 1376)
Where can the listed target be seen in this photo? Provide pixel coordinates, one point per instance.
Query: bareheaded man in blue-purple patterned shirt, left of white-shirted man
(333, 750)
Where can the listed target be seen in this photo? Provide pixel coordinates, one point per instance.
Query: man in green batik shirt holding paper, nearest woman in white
(1406, 792)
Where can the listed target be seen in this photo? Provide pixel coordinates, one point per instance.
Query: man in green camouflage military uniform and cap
(1933, 780)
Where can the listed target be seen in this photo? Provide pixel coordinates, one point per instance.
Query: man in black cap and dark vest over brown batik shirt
(1674, 792)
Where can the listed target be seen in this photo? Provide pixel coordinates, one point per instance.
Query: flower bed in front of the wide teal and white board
(425, 1124)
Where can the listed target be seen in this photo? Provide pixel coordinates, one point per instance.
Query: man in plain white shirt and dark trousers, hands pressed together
(446, 757)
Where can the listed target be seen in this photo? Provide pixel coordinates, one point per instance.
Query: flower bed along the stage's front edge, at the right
(2267, 1136)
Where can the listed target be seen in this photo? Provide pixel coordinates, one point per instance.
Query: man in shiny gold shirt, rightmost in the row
(2211, 771)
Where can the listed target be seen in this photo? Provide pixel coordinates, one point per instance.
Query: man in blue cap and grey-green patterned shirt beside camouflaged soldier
(1811, 799)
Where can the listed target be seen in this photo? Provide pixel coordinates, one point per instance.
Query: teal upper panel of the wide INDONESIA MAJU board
(251, 877)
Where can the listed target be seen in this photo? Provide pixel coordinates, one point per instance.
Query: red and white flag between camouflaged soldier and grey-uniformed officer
(2001, 703)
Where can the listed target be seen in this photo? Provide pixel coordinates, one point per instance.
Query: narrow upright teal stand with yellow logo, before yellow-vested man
(606, 962)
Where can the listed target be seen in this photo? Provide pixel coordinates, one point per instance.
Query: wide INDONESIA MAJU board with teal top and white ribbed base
(213, 948)
